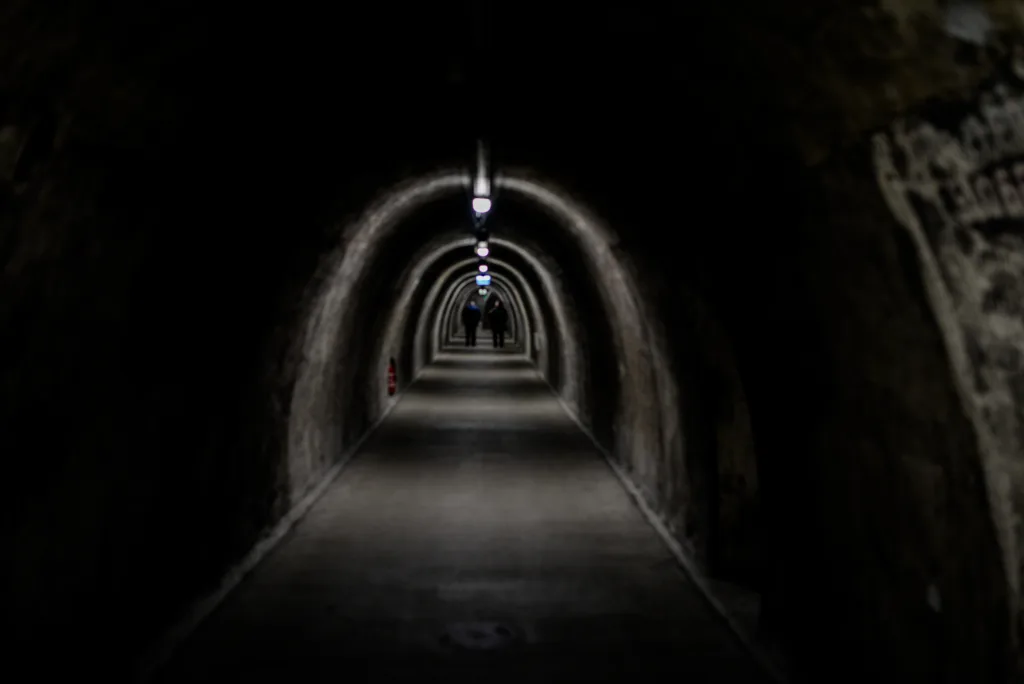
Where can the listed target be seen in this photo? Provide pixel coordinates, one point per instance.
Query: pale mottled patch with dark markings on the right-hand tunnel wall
(955, 179)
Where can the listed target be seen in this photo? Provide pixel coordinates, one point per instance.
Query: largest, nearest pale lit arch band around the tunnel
(638, 431)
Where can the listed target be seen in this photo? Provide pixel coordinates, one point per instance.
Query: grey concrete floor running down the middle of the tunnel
(479, 537)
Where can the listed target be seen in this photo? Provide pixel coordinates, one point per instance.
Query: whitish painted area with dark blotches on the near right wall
(963, 180)
